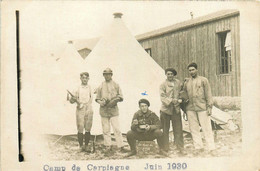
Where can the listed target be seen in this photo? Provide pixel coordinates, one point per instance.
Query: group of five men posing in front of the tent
(146, 125)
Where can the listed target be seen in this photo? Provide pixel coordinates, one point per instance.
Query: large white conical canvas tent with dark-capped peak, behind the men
(133, 69)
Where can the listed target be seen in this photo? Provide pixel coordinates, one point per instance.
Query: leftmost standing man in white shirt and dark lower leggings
(84, 113)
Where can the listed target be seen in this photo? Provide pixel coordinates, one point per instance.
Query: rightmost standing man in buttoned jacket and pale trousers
(199, 109)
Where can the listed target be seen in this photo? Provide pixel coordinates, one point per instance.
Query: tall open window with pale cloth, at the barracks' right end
(225, 64)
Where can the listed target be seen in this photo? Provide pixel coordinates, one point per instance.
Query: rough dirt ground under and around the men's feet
(228, 143)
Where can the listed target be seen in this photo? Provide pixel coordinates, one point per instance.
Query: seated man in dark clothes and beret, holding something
(145, 127)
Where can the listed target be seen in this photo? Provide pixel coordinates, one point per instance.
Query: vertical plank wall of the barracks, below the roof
(200, 44)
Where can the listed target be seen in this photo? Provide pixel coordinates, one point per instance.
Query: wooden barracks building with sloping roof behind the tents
(212, 41)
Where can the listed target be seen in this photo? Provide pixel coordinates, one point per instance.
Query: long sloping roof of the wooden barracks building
(189, 23)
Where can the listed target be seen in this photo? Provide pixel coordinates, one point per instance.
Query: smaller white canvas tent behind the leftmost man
(71, 65)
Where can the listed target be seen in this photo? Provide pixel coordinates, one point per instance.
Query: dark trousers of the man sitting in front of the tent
(132, 136)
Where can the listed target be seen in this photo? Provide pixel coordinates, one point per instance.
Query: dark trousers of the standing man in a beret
(177, 129)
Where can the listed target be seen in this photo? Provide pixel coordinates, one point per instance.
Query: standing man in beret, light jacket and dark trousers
(170, 110)
